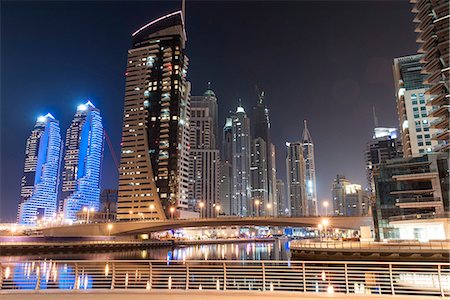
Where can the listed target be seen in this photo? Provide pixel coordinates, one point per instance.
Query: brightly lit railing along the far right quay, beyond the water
(371, 246)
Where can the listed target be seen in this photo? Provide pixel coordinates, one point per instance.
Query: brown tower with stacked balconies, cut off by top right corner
(432, 18)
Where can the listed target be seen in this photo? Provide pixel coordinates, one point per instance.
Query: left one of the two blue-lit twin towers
(40, 181)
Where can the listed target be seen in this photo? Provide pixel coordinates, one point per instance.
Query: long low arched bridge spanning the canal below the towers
(149, 226)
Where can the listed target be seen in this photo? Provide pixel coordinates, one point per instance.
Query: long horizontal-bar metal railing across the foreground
(384, 278)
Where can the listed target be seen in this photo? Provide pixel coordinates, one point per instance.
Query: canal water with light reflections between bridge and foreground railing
(271, 250)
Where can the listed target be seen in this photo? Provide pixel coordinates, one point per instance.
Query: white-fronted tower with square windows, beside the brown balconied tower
(411, 106)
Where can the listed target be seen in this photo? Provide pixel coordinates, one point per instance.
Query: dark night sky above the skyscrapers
(327, 62)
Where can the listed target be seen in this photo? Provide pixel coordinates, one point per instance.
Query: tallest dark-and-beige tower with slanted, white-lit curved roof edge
(154, 166)
